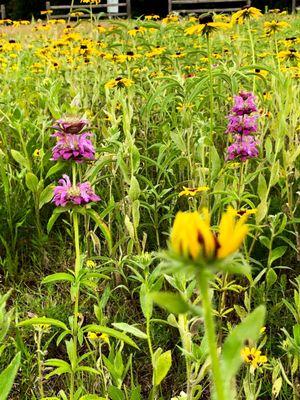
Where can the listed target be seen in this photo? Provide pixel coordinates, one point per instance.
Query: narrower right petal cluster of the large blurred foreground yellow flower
(232, 232)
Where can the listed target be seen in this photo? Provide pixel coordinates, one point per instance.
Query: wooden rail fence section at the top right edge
(203, 6)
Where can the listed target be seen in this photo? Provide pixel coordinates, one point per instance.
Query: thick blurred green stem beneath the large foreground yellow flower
(211, 335)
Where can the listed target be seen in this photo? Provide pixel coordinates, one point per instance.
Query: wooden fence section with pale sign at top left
(111, 8)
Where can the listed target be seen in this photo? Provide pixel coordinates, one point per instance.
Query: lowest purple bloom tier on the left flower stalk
(66, 193)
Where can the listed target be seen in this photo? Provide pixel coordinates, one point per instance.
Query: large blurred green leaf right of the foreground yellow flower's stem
(248, 329)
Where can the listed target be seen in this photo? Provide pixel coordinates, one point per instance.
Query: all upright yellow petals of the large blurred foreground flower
(192, 237)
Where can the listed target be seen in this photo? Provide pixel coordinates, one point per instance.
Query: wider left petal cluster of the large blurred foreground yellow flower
(191, 235)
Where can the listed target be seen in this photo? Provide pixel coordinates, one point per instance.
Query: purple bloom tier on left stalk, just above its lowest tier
(73, 147)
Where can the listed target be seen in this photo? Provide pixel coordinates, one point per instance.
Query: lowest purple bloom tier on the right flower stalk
(243, 148)
